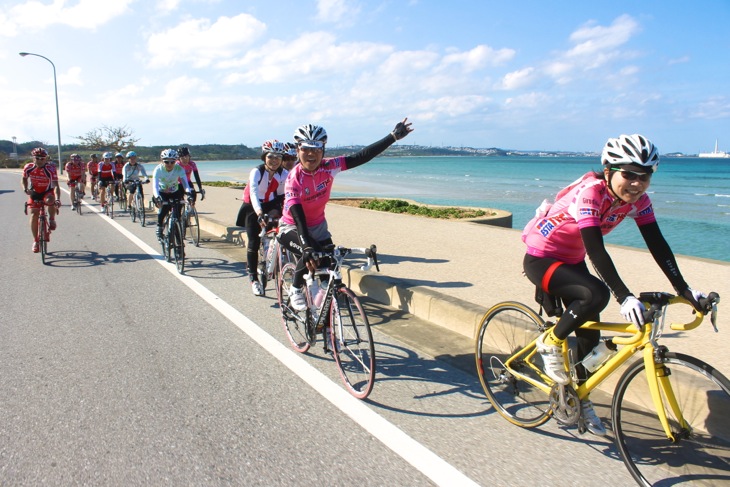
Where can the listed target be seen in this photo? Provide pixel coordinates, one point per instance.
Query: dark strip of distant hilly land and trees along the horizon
(222, 152)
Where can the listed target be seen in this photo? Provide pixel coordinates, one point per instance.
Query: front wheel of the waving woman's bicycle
(352, 343)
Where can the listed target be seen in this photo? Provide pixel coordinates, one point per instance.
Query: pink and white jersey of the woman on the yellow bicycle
(587, 202)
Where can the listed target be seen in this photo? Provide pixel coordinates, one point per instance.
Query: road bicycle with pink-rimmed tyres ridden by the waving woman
(338, 317)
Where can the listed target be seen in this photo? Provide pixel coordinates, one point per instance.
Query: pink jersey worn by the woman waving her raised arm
(311, 190)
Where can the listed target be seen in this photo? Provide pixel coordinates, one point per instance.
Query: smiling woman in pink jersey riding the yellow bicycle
(562, 233)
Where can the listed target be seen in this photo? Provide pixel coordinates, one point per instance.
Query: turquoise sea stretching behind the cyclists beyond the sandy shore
(691, 196)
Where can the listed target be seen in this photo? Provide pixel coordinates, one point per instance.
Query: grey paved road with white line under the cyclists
(113, 371)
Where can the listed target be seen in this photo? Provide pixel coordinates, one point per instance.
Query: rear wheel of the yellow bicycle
(506, 329)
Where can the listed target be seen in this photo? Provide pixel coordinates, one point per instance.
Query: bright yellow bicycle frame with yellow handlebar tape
(644, 340)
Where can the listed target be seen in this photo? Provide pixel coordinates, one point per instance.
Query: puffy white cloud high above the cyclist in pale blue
(201, 42)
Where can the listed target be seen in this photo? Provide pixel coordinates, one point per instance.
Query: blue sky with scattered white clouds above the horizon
(533, 74)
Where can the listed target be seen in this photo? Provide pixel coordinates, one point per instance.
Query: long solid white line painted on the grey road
(423, 459)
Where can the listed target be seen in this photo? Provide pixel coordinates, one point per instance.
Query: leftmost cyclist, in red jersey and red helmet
(40, 183)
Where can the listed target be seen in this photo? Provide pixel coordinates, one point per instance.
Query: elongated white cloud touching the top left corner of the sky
(34, 15)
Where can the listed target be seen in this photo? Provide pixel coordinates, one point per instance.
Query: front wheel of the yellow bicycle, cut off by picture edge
(700, 453)
